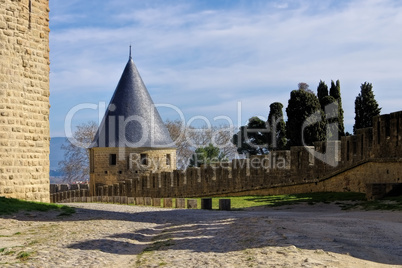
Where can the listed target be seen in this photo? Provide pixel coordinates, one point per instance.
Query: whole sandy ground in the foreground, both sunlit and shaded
(107, 235)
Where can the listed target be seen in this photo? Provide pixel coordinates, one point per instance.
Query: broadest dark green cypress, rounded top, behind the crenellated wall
(302, 104)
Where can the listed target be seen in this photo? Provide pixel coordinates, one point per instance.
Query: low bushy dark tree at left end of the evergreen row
(252, 139)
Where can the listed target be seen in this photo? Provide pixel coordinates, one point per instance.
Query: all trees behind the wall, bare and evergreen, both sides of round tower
(310, 117)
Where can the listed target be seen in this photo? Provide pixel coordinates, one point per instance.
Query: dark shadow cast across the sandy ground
(226, 231)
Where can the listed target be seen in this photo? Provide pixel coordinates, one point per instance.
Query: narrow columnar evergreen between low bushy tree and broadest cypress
(277, 128)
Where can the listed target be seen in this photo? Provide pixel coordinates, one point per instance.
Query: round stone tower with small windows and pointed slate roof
(132, 138)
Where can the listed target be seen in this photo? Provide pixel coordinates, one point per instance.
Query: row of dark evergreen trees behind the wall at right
(310, 117)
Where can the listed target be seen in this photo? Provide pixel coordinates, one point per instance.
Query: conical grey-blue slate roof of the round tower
(131, 119)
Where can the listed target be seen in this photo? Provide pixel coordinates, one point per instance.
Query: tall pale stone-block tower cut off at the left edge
(24, 99)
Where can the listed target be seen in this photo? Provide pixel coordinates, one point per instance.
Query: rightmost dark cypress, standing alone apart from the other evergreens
(366, 107)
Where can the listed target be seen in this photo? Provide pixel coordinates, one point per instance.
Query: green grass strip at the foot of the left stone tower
(11, 205)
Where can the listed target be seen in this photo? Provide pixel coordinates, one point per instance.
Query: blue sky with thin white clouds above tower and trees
(205, 57)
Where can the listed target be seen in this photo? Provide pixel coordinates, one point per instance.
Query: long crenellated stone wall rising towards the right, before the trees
(373, 155)
